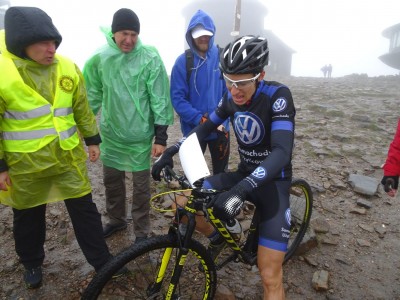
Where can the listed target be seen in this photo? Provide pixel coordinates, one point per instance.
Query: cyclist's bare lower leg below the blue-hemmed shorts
(270, 265)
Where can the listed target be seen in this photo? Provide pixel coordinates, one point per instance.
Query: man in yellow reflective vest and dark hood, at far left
(43, 107)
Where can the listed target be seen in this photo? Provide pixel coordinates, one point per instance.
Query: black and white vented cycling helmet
(245, 55)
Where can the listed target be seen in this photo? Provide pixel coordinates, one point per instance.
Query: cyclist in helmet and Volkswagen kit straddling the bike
(262, 114)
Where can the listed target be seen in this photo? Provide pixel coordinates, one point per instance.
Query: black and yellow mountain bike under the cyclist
(177, 265)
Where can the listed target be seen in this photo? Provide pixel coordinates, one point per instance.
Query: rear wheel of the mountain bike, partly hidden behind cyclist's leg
(301, 201)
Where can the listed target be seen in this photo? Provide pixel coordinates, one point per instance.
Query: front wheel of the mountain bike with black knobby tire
(143, 262)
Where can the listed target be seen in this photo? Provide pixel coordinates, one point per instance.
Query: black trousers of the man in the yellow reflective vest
(30, 232)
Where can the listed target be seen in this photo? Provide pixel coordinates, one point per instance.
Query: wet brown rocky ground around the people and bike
(343, 128)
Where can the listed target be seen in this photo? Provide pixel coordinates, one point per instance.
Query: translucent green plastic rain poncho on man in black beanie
(132, 91)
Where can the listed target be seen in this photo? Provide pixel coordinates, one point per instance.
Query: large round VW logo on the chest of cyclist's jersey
(249, 128)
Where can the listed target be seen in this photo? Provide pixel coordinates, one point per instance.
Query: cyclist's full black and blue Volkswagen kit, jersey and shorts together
(264, 128)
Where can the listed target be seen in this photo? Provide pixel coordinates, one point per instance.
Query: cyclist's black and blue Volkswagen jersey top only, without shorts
(264, 128)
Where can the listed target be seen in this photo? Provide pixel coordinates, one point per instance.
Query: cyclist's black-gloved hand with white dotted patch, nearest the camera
(227, 205)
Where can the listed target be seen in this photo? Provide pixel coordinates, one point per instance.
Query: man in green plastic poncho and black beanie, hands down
(128, 82)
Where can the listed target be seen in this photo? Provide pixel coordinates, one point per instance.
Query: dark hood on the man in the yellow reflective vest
(25, 26)
